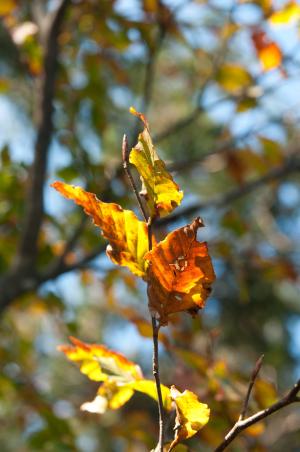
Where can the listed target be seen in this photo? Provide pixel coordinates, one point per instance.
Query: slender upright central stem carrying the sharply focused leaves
(155, 325)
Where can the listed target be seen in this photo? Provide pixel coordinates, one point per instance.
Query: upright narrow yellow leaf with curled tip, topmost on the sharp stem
(161, 193)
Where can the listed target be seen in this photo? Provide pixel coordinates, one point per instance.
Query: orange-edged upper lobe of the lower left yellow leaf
(99, 363)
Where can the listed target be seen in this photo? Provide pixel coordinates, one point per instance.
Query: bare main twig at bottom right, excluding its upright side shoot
(243, 424)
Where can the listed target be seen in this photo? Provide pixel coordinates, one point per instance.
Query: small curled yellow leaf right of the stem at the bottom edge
(191, 415)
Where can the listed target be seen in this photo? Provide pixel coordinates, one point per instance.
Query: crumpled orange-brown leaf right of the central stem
(180, 273)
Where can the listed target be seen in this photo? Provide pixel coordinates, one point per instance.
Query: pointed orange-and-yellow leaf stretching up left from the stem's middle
(126, 234)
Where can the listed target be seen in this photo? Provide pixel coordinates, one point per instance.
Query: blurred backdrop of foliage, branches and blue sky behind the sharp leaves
(219, 81)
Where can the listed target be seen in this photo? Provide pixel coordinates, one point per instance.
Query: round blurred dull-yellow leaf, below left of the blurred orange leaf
(233, 78)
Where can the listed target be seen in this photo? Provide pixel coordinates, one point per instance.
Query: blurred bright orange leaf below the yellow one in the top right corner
(268, 52)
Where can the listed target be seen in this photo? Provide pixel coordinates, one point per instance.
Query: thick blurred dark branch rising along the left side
(22, 276)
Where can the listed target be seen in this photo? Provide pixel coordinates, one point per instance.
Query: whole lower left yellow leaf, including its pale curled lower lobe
(120, 377)
